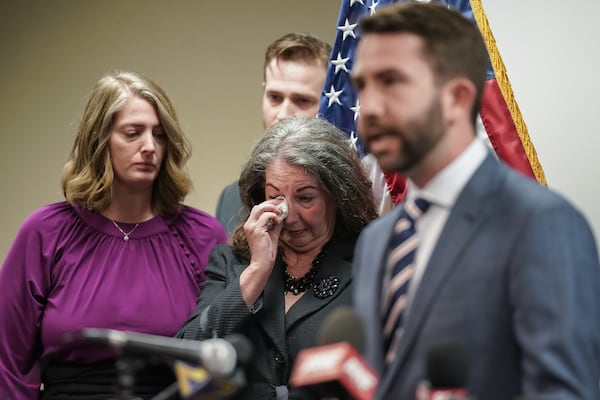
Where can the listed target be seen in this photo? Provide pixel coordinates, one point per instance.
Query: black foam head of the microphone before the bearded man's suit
(447, 365)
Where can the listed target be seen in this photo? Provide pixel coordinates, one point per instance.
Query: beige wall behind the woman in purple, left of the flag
(207, 55)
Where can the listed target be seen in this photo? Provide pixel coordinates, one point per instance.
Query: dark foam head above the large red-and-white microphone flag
(342, 325)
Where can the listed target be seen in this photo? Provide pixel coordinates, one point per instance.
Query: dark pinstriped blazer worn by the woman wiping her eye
(277, 337)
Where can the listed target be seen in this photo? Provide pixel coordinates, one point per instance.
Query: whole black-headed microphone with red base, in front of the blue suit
(446, 372)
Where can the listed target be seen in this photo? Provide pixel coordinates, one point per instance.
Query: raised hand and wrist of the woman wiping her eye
(262, 229)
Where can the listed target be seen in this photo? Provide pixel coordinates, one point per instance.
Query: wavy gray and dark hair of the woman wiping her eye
(323, 152)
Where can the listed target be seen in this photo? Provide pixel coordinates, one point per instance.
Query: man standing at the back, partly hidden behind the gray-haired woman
(294, 73)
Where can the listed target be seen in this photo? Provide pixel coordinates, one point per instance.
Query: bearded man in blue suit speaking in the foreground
(504, 266)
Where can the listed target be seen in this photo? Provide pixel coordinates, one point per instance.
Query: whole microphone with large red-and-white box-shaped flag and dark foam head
(335, 369)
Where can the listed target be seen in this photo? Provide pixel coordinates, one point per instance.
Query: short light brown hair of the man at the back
(298, 46)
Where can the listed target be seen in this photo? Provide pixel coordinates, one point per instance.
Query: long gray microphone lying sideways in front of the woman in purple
(219, 357)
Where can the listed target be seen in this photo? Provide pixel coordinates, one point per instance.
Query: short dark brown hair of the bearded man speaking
(453, 45)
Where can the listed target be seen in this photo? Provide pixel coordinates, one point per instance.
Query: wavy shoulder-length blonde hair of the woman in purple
(88, 175)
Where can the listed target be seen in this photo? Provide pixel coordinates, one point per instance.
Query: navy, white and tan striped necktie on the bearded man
(401, 256)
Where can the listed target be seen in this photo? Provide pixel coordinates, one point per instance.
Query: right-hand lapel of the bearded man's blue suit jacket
(469, 213)
